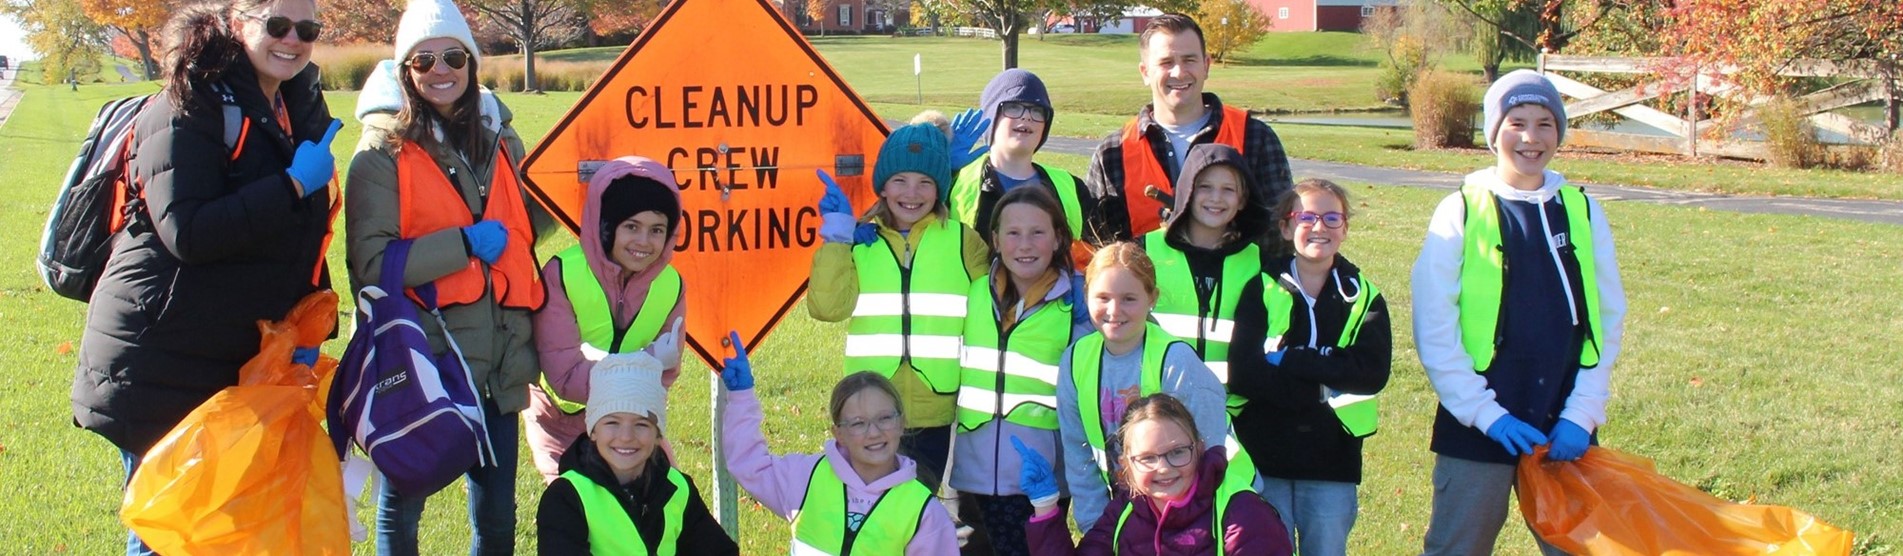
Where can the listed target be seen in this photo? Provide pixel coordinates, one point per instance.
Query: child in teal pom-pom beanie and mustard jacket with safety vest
(901, 275)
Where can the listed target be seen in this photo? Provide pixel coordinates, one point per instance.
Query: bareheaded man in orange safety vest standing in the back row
(1133, 188)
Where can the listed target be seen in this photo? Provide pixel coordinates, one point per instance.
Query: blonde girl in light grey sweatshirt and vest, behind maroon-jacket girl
(1124, 361)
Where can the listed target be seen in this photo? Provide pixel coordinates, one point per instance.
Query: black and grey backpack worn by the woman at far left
(96, 201)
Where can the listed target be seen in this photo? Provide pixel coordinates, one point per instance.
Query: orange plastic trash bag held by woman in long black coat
(252, 469)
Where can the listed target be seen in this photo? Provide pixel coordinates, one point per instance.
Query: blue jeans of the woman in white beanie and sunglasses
(492, 492)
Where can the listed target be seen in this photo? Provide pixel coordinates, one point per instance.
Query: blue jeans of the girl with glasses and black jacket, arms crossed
(1318, 513)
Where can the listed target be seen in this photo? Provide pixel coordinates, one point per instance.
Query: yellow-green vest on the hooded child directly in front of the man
(1181, 311)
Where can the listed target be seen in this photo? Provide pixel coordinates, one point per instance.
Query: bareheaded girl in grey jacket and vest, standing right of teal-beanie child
(1017, 330)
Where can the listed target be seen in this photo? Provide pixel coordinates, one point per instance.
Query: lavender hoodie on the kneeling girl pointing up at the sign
(779, 483)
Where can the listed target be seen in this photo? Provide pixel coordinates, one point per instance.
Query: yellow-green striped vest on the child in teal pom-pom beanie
(912, 313)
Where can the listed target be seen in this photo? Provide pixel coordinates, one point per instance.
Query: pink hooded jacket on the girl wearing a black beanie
(559, 336)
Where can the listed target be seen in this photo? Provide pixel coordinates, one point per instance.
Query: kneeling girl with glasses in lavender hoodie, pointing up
(859, 496)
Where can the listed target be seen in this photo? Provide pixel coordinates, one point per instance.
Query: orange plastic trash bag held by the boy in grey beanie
(1617, 504)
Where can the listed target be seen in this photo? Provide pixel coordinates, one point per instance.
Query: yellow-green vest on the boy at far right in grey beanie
(1483, 271)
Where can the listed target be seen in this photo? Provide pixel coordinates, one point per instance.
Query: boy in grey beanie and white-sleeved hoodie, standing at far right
(1518, 317)
